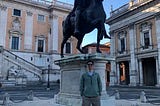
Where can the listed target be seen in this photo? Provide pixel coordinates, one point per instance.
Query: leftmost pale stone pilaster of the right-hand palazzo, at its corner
(113, 64)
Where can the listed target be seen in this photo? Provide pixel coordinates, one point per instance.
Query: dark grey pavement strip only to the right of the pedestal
(133, 93)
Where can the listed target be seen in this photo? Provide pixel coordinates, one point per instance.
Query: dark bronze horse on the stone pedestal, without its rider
(92, 17)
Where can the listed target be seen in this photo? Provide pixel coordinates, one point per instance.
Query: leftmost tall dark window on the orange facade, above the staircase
(15, 43)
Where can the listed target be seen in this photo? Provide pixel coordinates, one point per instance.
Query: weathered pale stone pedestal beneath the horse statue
(71, 69)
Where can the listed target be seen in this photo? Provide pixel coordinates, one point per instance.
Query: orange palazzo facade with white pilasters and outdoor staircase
(30, 39)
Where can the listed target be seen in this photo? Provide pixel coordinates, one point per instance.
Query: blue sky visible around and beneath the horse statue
(92, 37)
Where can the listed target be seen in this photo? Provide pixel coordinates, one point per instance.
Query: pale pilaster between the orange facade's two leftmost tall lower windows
(28, 31)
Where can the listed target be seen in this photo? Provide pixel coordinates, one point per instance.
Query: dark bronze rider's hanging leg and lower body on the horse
(79, 7)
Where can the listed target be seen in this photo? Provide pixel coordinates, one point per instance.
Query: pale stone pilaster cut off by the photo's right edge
(158, 43)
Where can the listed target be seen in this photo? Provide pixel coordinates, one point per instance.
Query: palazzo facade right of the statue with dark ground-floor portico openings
(135, 43)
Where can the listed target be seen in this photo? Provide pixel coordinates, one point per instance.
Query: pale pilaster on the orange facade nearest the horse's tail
(53, 41)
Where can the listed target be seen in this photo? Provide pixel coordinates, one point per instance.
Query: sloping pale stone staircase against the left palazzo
(11, 57)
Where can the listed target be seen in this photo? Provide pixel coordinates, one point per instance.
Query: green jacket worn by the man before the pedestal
(90, 86)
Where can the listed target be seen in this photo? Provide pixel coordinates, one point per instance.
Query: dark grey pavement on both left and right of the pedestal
(21, 94)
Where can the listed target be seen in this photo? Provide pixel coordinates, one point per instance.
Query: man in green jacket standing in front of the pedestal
(90, 86)
